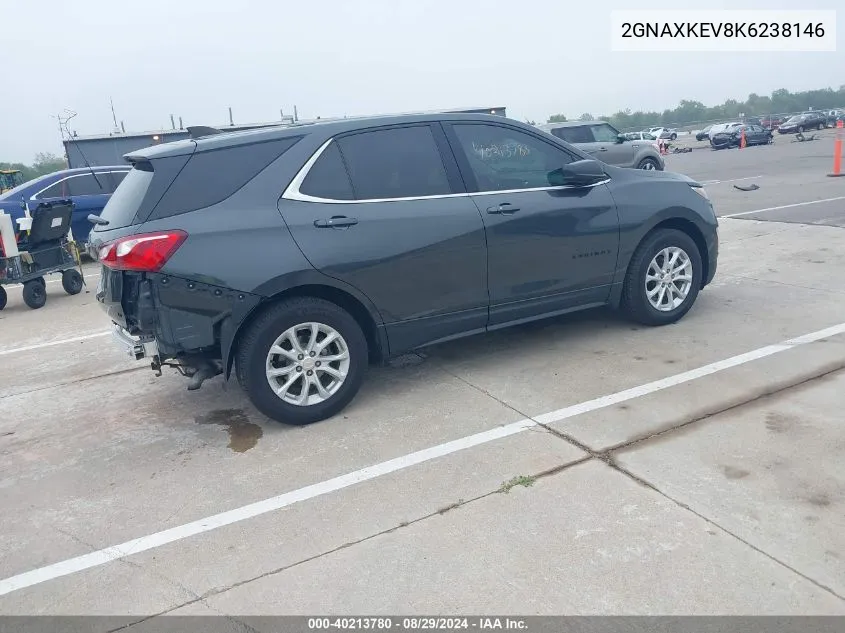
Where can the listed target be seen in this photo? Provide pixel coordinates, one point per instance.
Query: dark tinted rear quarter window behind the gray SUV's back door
(211, 176)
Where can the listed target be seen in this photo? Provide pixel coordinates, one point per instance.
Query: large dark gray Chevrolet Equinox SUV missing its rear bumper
(299, 254)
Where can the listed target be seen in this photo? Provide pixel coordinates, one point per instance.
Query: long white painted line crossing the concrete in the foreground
(152, 541)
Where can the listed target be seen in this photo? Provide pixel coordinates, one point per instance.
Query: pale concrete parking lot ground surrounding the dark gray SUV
(580, 465)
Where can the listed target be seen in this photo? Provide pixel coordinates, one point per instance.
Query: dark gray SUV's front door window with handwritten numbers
(502, 158)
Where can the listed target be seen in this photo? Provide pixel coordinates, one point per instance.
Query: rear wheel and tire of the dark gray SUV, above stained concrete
(302, 361)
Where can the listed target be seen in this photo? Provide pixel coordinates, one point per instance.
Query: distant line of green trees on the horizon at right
(781, 101)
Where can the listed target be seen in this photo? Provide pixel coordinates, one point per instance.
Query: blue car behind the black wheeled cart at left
(89, 189)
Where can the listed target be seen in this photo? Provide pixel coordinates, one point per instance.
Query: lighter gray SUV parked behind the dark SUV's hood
(604, 142)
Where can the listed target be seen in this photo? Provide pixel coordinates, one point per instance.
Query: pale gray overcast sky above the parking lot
(195, 58)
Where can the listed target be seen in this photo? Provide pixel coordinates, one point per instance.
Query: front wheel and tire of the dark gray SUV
(663, 278)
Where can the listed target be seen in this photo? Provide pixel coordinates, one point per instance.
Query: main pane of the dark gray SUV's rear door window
(396, 163)
